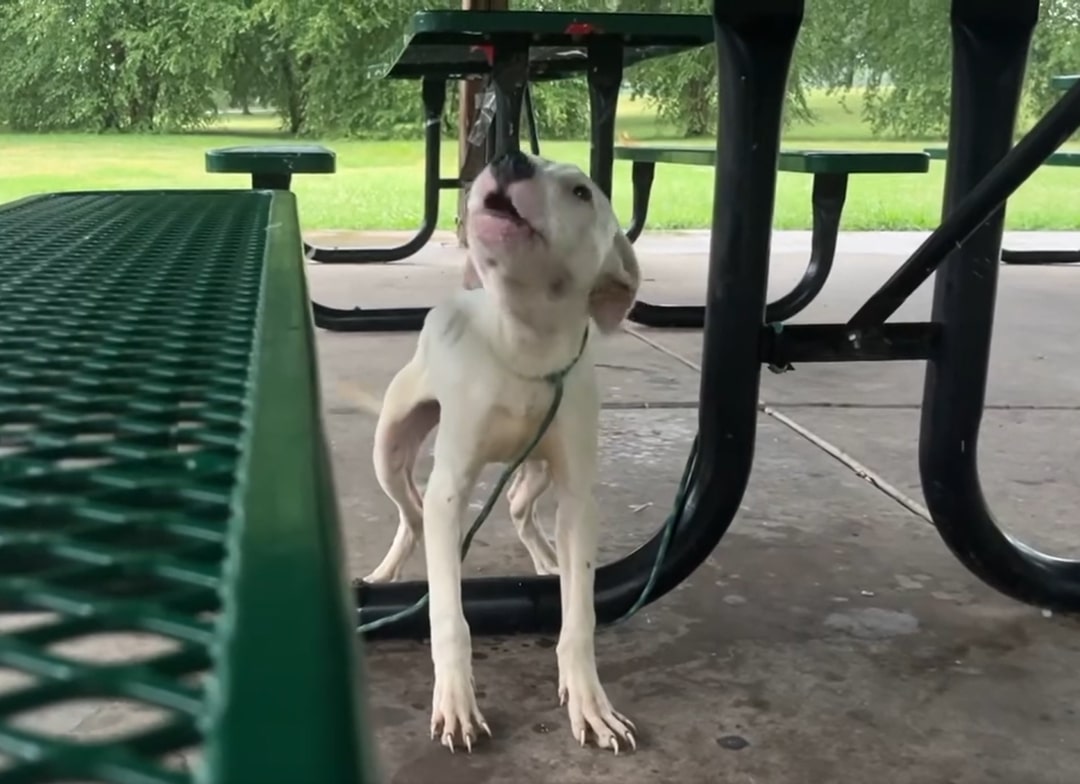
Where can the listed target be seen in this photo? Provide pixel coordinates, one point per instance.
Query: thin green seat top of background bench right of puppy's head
(805, 161)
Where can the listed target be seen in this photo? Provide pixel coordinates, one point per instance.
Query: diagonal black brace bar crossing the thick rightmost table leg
(984, 201)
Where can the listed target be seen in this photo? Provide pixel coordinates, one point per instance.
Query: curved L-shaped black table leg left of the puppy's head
(435, 100)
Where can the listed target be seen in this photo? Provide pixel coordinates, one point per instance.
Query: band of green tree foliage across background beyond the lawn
(160, 65)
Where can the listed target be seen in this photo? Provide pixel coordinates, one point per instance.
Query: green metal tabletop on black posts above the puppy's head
(454, 45)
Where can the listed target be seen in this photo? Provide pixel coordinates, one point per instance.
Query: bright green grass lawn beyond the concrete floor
(380, 184)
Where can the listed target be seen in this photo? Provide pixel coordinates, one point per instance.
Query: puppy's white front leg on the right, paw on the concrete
(579, 685)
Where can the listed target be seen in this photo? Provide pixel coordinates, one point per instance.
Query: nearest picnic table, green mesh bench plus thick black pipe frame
(156, 355)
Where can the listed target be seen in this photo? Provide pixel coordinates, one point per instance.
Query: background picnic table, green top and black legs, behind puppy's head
(514, 49)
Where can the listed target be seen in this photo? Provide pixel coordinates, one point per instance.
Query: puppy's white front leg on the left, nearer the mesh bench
(454, 713)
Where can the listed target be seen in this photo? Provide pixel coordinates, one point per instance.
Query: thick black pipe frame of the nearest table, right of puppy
(754, 49)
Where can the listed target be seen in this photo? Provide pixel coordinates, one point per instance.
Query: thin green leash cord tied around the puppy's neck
(557, 381)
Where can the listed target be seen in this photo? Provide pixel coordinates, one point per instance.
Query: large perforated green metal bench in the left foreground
(156, 355)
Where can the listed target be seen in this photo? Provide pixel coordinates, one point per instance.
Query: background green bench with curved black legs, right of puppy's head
(831, 171)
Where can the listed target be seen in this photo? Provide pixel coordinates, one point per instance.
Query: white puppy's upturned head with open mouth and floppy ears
(544, 239)
